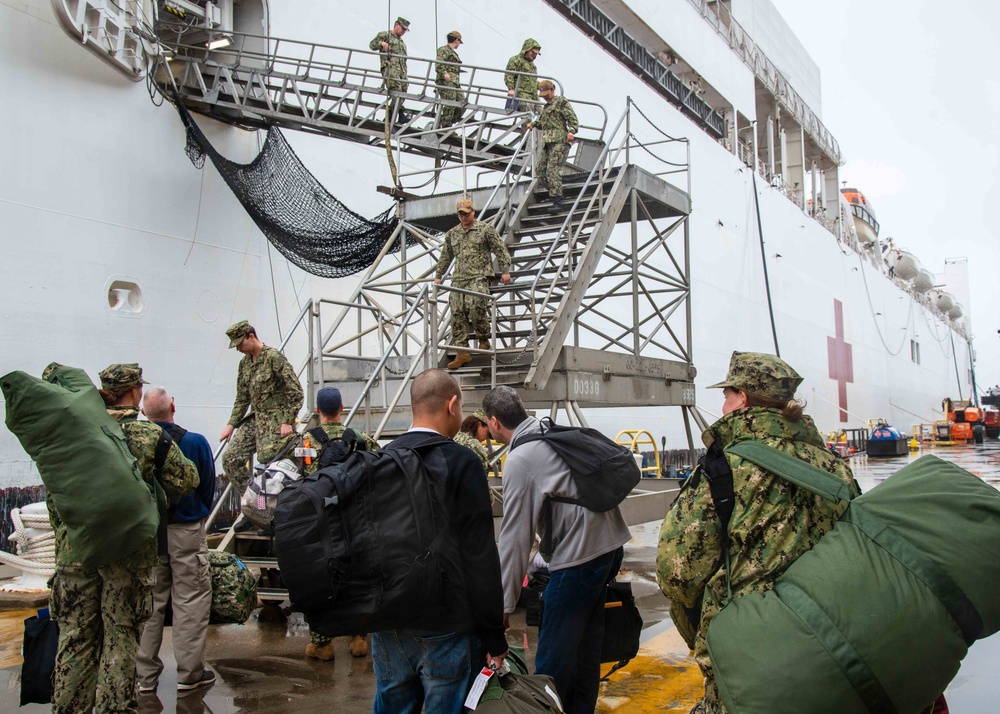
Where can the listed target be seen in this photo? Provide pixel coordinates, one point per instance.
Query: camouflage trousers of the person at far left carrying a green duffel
(100, 615)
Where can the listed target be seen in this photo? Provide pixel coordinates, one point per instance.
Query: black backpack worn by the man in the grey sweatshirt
(604, 472)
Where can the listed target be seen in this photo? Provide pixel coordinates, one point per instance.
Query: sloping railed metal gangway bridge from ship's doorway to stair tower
(319, 87)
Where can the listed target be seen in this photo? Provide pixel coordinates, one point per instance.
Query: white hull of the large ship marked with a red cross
(131, 254)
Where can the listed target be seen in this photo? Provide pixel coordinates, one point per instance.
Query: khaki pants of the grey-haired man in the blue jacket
(183, 578)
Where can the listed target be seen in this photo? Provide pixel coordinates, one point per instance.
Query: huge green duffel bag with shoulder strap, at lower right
(879, 614)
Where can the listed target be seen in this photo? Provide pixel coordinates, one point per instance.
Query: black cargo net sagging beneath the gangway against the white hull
(301, 219)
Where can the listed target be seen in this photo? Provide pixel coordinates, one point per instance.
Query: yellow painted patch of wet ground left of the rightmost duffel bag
(662, 678)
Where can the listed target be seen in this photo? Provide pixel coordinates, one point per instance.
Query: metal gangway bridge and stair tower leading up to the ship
(597, 313)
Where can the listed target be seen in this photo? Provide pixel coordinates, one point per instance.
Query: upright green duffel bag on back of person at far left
(84, 462)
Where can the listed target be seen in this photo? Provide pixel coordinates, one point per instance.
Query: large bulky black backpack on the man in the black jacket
(362, 545)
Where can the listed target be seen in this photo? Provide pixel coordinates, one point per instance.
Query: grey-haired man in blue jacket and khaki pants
(182, 576)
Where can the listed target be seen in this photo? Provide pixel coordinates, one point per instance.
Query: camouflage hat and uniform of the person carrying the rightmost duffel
(773, 521)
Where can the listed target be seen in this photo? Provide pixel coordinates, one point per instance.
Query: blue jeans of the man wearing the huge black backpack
(432, 671)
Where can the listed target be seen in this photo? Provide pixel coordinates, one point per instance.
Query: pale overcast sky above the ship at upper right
(911, 92)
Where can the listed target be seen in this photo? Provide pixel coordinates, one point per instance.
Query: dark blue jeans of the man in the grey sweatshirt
(569, 643)
